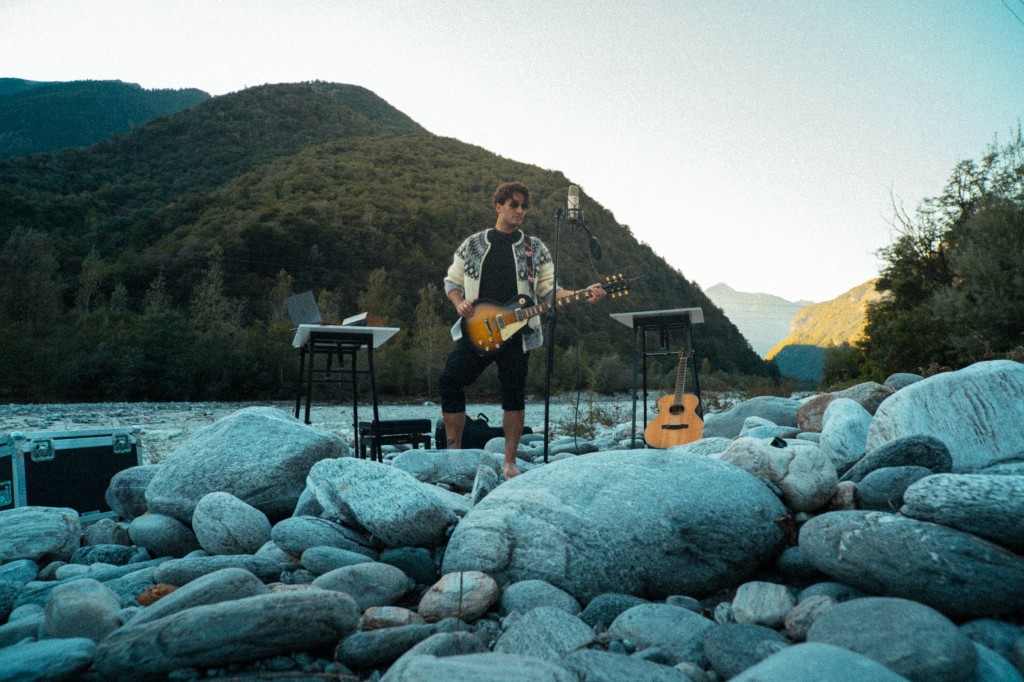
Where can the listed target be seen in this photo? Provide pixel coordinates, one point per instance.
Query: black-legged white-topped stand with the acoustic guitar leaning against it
(665, 323)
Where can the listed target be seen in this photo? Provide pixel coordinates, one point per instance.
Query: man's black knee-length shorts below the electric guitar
(464, 367)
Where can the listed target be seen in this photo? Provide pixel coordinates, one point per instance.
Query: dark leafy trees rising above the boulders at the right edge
(953, 283)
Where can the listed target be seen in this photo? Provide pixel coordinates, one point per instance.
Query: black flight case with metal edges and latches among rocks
(65, 468)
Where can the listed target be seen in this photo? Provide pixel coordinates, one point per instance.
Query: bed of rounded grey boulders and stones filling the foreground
(873, 535)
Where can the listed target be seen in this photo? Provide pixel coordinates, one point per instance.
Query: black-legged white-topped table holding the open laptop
(345, 340)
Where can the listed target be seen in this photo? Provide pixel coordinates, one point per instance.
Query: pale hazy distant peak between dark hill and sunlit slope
(764, 320)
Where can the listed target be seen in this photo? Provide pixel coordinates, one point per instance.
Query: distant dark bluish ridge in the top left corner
(47, 117)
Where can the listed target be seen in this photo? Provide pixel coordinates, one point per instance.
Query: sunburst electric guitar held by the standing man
(493, 324)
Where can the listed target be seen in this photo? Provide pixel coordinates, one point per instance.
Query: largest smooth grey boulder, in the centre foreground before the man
(688, 525)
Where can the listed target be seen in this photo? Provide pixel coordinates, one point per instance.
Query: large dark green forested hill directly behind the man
(154, 266)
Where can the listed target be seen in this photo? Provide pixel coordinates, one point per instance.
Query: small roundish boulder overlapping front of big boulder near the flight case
(225, 525)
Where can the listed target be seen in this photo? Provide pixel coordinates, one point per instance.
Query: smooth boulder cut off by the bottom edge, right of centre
(815, 662)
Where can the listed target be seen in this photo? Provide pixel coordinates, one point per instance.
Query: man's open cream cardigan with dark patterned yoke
(464, 276)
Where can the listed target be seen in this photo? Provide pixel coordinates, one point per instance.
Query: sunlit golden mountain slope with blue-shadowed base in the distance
(822, 326)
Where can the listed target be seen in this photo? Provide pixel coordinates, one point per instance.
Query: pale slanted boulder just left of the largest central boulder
(389, 503)
